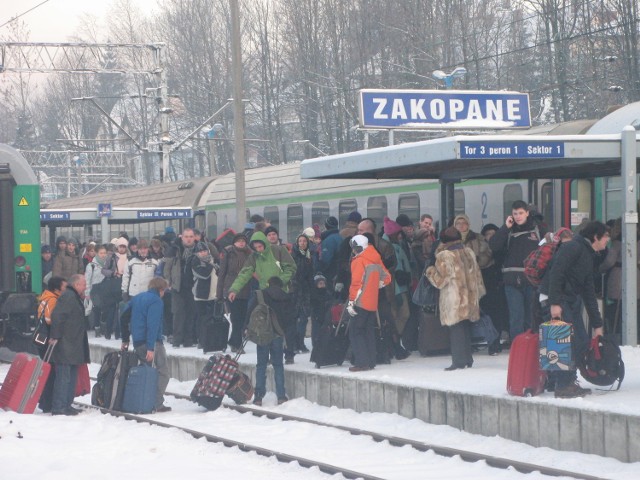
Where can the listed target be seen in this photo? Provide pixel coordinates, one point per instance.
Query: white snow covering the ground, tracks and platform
(100, 446)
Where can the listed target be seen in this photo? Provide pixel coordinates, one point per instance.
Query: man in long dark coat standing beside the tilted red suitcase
(71, 345)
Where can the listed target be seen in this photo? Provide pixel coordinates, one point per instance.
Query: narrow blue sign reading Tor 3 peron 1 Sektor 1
(511, 149)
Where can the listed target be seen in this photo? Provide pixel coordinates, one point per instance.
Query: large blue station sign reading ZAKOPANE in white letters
(443, 109)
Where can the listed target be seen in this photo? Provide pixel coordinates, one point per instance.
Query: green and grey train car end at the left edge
(20, 261)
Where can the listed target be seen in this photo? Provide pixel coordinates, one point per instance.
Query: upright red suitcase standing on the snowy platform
(524, 377)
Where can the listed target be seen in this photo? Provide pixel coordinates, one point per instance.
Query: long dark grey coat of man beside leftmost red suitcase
(69, 328)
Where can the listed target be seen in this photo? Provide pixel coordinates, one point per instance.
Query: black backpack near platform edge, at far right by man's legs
(602, 363)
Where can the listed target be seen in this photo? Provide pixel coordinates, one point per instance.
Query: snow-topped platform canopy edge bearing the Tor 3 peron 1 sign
(478, 156)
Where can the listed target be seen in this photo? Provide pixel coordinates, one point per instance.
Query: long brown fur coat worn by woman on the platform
(457, 275)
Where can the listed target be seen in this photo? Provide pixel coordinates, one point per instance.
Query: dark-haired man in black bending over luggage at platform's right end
(571, 284)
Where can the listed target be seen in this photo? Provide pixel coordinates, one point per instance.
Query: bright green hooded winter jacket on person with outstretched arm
(274, 261)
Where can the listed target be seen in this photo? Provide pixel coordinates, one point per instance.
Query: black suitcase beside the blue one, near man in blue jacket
(108, 391)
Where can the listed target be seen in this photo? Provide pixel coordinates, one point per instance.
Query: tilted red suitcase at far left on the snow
(24, 383)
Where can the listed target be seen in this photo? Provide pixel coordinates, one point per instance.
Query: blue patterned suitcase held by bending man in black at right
(556, 346)
